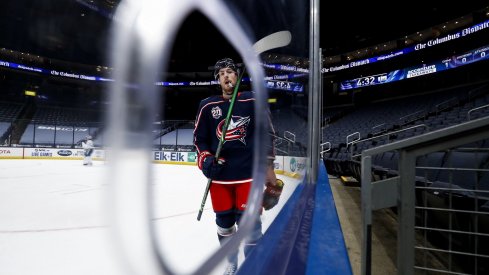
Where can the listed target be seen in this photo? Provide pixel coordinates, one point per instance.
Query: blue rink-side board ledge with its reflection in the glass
(304, 238)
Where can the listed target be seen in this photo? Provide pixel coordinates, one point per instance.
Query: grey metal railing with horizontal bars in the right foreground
(416, 218)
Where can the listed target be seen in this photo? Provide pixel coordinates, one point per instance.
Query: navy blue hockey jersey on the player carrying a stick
(237, 149)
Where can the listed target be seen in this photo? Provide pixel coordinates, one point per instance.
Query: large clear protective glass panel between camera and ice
(116, 101)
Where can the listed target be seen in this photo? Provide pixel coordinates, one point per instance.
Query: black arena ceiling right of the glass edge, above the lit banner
(346, 26)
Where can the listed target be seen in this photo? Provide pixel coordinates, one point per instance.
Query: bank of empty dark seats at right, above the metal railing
(384, 122)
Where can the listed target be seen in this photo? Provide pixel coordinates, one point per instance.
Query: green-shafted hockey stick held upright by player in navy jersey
(272, 41)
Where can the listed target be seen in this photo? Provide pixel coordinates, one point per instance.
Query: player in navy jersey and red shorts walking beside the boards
(231, 174)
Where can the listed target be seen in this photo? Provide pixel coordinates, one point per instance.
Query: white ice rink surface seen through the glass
(54, 218)
